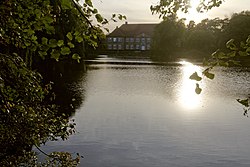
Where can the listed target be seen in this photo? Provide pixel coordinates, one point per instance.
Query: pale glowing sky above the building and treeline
(138, 11)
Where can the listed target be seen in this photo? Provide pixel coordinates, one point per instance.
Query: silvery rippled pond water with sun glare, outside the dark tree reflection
(148, 115)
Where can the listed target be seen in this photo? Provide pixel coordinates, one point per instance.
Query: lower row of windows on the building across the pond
(128, 47)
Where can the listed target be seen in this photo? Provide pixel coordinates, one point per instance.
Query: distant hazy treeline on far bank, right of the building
(173, 39)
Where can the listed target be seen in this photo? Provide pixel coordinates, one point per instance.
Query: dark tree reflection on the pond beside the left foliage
(67, 78)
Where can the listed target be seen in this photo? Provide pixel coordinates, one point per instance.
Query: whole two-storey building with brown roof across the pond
(131, 37)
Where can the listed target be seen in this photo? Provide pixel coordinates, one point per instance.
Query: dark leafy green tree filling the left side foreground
(32, 30)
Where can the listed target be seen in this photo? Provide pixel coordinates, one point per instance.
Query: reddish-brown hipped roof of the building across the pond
(133, 30)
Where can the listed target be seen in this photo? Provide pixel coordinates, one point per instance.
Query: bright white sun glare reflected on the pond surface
(187, 97)
